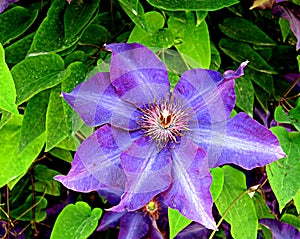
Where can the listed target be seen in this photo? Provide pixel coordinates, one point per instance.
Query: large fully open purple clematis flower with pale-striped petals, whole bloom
(152, 141)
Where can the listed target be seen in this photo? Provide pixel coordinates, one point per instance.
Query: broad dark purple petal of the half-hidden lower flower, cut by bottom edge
(133, 226)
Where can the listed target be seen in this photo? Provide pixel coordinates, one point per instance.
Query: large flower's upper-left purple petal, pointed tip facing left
(97, 103)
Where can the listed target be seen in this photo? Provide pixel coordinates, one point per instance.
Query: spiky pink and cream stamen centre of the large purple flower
(165, 121)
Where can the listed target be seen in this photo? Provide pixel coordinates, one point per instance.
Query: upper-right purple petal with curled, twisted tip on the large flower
(208, 94)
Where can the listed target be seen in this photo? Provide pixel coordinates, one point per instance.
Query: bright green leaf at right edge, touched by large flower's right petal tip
(284, 174)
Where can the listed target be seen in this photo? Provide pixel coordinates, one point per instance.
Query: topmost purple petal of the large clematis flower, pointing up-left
(137, 74)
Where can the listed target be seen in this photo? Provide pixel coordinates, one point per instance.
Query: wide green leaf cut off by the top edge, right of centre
(182, 5)
